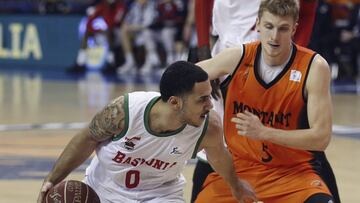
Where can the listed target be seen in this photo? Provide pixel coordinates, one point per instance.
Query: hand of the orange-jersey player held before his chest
(249, 125)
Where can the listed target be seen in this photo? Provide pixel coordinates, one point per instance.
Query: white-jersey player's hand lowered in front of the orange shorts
(243, 192)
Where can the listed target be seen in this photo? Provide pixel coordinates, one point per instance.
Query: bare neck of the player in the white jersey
(163, 119)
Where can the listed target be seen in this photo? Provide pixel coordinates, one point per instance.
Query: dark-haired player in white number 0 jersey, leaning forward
(142, 141)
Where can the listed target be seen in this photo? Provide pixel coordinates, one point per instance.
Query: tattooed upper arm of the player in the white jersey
(110, 121)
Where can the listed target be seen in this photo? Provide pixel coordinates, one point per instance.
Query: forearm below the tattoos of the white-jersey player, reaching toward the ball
(74, 154)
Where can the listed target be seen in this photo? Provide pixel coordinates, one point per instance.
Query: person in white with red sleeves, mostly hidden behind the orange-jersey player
(233, 21)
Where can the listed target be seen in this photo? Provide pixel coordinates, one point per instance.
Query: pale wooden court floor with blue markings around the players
(28, 148)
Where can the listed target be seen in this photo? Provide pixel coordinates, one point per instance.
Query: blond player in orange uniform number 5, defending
(277, 119)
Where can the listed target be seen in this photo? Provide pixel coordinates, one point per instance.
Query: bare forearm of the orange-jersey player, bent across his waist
(307, 139)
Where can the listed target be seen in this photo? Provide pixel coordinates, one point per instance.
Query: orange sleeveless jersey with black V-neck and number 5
(280, 104)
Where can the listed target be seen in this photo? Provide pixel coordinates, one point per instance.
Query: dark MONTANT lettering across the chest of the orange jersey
(267, 118)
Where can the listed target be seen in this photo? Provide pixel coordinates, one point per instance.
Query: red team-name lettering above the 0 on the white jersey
(122, 158)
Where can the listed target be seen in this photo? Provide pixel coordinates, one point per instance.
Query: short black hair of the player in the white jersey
(179, 78)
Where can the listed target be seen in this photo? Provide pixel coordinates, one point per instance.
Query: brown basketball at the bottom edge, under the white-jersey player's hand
(71, 191)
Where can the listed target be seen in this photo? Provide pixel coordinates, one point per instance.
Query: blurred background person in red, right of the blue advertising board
(113, 12)
